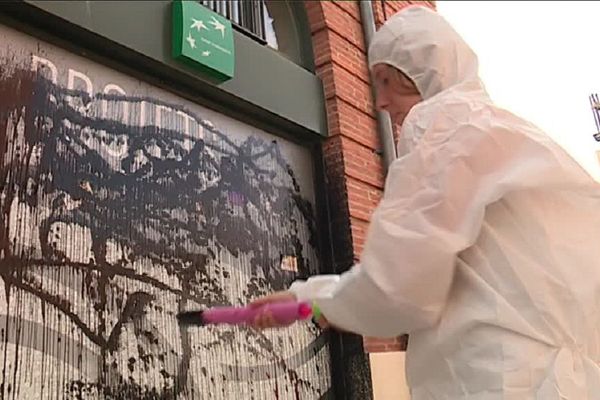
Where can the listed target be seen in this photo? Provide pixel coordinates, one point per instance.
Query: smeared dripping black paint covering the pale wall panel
(177, 211)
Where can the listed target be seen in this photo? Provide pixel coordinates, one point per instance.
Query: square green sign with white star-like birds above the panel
(203, 39)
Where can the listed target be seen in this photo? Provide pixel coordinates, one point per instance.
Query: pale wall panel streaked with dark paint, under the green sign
(122, 204)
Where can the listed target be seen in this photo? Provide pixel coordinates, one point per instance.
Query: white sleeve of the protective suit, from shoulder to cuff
(433, 207)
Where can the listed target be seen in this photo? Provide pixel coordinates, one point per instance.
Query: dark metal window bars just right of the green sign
(247, 15)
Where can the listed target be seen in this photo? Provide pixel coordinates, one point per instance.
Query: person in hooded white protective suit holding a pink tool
(485, 248)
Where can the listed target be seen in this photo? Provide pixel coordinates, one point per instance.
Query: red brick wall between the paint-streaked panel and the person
(352, 158)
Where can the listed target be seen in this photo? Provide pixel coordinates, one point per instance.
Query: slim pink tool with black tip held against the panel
(284, 313)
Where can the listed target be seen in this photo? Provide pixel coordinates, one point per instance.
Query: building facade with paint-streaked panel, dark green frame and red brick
(134, 186)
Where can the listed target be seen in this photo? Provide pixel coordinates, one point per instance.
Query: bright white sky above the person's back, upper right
(540, 60)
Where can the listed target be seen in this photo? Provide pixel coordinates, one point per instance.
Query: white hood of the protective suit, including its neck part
(422, 44)
